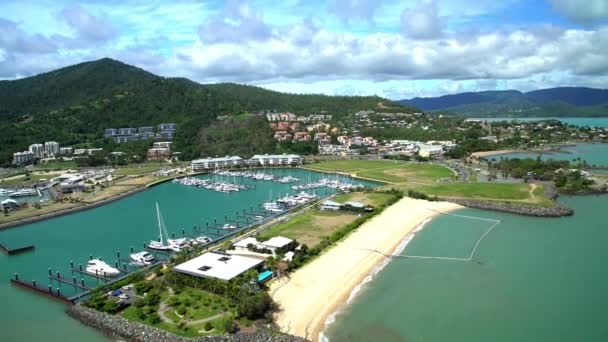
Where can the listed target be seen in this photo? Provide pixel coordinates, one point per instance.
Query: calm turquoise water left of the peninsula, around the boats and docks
(101, 232)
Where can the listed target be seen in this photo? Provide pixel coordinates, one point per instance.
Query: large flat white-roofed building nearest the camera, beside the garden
(218, 266)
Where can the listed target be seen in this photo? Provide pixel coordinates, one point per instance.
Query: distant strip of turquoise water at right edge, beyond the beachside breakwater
(594, 154)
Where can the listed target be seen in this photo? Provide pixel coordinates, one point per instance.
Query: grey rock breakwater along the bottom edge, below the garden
(122, 328)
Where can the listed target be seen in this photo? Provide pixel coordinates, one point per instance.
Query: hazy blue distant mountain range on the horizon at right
(565, 101)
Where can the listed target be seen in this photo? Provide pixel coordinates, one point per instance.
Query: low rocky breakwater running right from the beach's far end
(557, 210)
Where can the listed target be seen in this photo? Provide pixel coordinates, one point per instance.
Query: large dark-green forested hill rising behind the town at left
(74, 105)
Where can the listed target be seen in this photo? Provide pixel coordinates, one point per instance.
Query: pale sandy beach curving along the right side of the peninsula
(315, 291)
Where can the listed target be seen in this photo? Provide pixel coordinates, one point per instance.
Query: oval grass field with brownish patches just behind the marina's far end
(387, 171)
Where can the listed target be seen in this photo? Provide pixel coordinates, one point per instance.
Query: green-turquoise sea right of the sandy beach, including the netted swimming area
(537, 280)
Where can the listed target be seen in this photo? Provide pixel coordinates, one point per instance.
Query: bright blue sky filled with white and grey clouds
(391, 48)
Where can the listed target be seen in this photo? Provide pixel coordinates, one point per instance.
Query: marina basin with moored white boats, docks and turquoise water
(129, 224)
